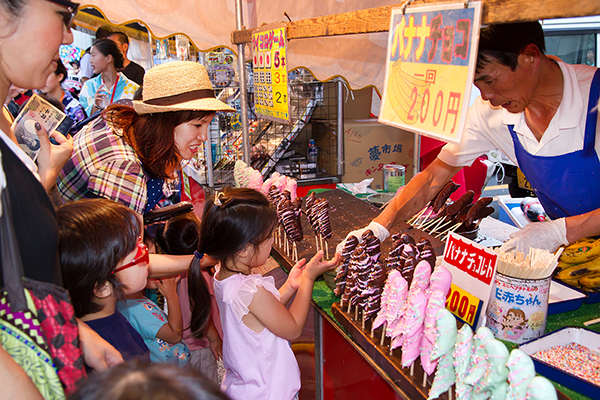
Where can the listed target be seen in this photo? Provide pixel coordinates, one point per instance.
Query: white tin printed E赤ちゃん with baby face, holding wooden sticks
(518, 308)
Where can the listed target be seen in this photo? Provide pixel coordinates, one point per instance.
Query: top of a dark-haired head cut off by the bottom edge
(133, 380)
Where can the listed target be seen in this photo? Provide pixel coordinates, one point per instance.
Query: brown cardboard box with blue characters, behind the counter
(369, 145)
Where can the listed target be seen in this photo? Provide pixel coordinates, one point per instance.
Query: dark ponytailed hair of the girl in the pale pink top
(237, 218)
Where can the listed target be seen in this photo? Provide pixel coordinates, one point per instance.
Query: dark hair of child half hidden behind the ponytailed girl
(179, 235)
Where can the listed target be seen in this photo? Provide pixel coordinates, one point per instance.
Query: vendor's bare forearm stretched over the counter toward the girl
(413, 197)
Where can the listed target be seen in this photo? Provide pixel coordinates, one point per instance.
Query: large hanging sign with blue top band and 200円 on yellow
(430, 64)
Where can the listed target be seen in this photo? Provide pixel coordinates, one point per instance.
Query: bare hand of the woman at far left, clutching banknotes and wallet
(51, 157)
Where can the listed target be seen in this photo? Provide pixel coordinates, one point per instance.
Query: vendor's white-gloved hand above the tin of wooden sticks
(547, 235)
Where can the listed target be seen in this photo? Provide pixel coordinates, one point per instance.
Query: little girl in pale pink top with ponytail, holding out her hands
(236, 231)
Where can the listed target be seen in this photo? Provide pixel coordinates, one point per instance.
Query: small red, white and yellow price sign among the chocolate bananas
(473, 268)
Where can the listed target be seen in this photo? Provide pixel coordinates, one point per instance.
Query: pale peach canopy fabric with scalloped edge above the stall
(209, 23)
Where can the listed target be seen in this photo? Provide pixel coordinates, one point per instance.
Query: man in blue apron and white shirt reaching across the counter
(540, 112)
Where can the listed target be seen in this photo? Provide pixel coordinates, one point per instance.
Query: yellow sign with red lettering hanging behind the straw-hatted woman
(270, 73)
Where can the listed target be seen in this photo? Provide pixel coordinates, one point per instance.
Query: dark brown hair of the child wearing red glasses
(94, 236)
